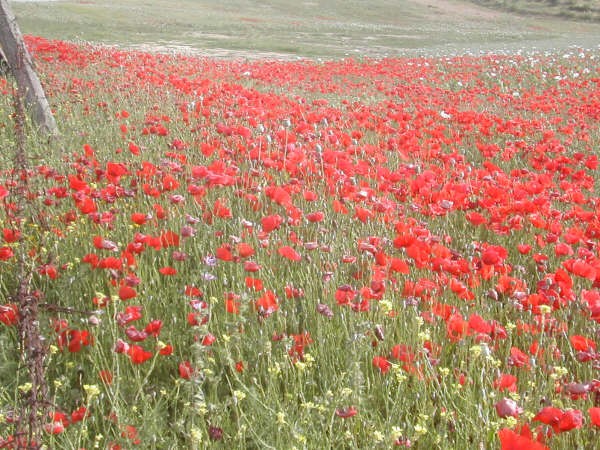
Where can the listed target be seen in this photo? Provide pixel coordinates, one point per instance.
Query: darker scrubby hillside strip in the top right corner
(569, 9)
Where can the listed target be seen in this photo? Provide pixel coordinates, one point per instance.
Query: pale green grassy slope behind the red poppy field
(299, 28)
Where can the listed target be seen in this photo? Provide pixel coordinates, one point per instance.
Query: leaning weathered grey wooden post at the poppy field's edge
(21, 67)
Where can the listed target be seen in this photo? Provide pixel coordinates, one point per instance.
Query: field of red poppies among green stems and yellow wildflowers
(385, 253)
